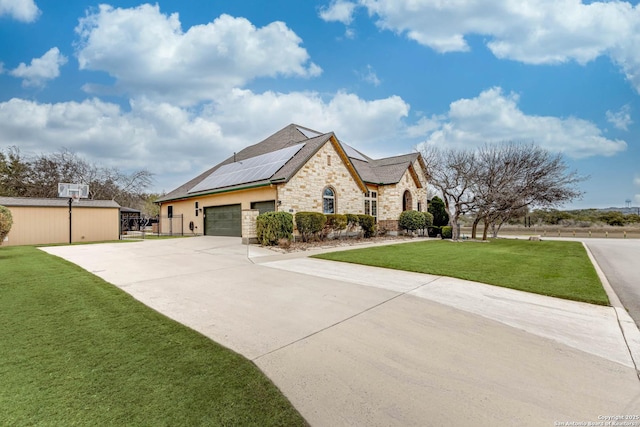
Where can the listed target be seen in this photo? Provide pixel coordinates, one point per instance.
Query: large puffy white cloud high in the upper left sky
(147, 52)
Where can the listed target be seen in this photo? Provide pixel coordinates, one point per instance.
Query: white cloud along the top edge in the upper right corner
(533, 31)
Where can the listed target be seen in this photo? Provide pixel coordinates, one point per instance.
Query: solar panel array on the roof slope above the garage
(248, 170)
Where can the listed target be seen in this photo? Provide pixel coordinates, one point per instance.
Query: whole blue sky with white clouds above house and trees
(175, 86)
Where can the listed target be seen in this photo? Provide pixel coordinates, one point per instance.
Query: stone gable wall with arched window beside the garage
(303, 192)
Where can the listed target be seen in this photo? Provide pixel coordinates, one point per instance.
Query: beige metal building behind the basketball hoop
(46, 221)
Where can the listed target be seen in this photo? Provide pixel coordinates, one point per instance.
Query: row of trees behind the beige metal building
(39, 175)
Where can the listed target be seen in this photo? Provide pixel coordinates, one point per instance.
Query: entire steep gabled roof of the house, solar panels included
(284, 142)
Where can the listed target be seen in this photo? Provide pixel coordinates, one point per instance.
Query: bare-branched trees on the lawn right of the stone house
(496, 183)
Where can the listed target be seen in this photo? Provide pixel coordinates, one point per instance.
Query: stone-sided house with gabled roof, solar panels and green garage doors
(296, 169)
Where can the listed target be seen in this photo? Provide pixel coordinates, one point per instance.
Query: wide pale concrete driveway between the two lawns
(354, 345)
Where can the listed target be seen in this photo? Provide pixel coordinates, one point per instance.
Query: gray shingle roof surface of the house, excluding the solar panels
(382, 171)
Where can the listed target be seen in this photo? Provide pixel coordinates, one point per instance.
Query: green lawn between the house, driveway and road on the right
(559, 269)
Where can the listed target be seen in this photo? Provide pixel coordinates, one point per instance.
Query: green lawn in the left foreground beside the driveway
(75, 350)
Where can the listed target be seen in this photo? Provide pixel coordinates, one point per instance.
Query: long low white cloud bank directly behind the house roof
(177, 143)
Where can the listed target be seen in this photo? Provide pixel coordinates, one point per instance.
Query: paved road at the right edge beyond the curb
(620, 262)
